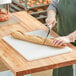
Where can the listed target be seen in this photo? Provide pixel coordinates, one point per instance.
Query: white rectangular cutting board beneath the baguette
(31, 51)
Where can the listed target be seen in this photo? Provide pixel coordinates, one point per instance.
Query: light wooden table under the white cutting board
(16, 63)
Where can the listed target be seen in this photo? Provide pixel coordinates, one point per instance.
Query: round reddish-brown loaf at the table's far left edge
(4, 15)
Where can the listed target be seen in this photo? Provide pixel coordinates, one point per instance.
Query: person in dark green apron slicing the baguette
(65, 12)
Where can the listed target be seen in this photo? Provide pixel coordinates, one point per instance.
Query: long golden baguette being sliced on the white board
(34, 39)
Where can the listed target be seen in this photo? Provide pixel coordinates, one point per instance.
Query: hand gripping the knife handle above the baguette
(51, 19)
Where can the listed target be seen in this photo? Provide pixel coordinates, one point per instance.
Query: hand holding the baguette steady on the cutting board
(61, 41)
